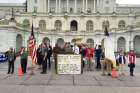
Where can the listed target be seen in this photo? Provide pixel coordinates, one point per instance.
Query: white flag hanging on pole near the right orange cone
(109, 50)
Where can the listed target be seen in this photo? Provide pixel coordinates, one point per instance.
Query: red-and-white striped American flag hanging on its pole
(32, 46)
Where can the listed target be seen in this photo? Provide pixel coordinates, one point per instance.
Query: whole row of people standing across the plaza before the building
(91, 56)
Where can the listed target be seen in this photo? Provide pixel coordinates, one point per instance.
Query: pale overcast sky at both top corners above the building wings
(118, 1)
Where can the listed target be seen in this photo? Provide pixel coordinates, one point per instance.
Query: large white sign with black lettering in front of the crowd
(68, 64)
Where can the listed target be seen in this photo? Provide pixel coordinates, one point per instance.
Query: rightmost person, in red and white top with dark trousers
(131, 62)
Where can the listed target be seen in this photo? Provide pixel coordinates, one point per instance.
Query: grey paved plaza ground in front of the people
(51, 83)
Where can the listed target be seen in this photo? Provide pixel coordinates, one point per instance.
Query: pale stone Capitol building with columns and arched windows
(58, 21)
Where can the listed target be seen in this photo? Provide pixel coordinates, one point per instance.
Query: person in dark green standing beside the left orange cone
(23, 59)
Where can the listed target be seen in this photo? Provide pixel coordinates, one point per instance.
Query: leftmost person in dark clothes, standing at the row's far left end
(11, 60)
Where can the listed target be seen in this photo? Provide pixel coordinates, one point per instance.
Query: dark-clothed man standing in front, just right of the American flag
(44, 52)
